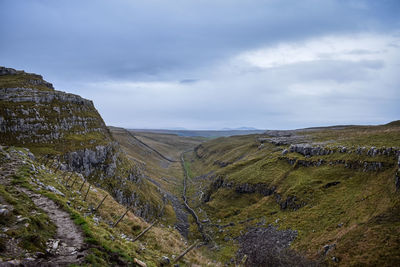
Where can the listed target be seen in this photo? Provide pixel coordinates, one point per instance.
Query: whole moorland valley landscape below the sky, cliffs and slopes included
(76, 192)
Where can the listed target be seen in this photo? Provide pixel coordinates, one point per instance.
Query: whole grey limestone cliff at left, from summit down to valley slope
(68, 128)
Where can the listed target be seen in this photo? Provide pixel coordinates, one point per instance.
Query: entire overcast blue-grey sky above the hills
(210, 64)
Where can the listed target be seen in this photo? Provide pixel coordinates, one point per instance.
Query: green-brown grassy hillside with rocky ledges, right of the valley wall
(343, 205)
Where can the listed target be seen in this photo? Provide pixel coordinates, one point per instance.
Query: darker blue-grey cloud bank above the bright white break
(150, 40)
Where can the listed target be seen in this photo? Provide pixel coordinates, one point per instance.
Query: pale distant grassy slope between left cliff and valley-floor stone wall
(159, 157)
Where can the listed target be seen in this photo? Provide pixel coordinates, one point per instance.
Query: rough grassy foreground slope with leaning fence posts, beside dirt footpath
(104, 244)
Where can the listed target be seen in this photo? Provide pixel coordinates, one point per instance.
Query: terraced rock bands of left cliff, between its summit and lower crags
(33, 116)
